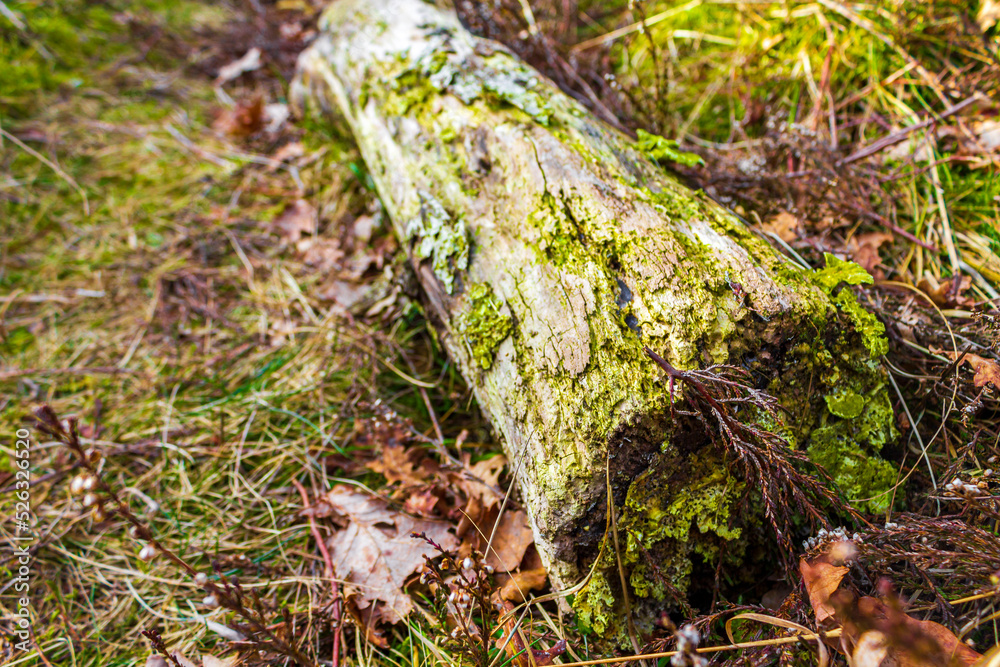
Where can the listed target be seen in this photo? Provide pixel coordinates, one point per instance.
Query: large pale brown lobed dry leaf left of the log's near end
(376, 552)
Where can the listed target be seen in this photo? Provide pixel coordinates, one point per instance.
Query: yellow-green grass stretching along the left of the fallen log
(208, 389)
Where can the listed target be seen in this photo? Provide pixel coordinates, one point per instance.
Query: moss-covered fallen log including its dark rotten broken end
(552, 249)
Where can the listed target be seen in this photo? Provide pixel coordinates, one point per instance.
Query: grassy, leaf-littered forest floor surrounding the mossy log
(214, 293)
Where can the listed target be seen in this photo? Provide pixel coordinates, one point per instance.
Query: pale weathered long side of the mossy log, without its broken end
(551, 251)
